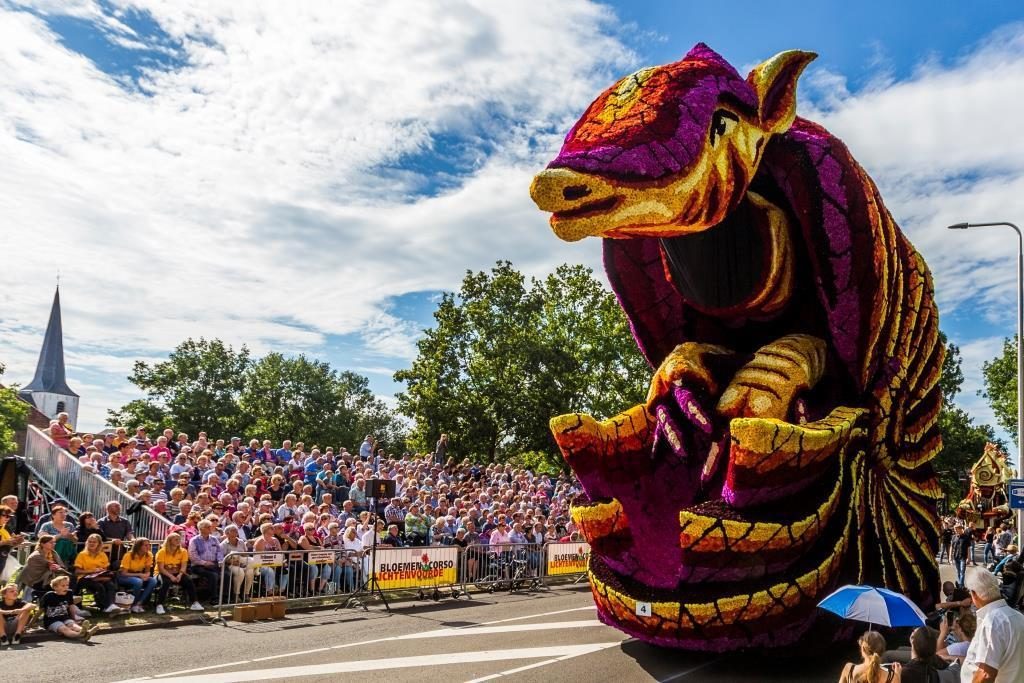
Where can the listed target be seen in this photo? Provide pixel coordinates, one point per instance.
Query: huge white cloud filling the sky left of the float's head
(253, 194)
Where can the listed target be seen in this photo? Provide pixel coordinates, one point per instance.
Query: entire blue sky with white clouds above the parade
(309, 180)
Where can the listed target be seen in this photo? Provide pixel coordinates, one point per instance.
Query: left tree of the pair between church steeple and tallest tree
(196, 390)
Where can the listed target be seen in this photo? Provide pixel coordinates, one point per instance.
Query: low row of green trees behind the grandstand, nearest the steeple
(208, 387)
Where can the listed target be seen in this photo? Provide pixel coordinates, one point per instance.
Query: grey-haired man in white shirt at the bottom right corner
(997, 654)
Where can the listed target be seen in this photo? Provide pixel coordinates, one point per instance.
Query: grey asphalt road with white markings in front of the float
(553, 636)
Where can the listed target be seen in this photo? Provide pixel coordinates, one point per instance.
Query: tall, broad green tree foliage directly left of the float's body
(508, 355)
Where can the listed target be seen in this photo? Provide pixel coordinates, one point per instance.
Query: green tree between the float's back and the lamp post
(963, 442)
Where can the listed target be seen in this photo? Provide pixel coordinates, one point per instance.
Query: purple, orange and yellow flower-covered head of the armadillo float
(682, 142)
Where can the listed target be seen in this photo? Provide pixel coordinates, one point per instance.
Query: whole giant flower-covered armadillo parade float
(784, 448)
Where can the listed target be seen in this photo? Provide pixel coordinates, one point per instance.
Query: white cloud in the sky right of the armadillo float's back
(945, 147)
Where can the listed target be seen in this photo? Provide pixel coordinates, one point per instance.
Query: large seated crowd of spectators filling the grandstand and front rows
(226, 499)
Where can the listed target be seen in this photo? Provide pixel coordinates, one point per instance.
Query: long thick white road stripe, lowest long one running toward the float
(395, 663)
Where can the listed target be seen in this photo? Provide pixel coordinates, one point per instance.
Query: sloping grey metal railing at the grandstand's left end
(83, 490)
